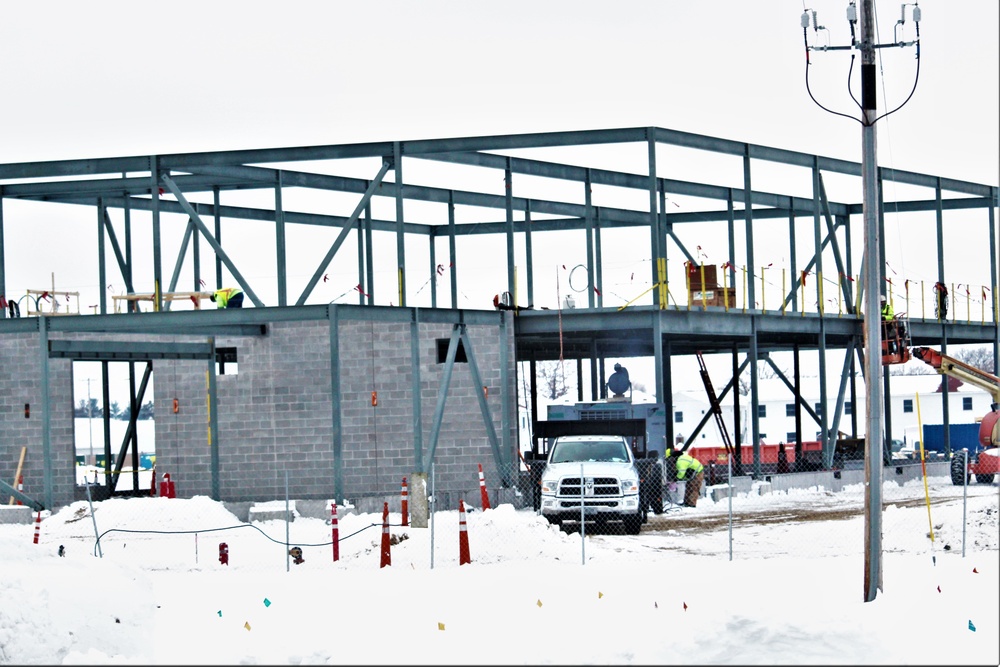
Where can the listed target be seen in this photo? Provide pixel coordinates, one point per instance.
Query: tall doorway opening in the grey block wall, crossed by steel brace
(113, 450)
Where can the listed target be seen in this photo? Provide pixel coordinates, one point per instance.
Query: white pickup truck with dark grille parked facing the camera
(594, 477)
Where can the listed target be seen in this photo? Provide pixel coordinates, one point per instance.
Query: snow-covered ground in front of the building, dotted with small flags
(154, 591)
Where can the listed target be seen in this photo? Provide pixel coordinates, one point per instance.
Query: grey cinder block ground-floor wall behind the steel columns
(276, 412)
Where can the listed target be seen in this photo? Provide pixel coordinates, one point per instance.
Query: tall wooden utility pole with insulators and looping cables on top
(871, 267)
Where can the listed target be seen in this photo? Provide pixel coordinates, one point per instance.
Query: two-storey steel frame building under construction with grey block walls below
(351, 397)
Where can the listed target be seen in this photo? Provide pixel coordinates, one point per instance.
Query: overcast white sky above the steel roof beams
(123, 78)
